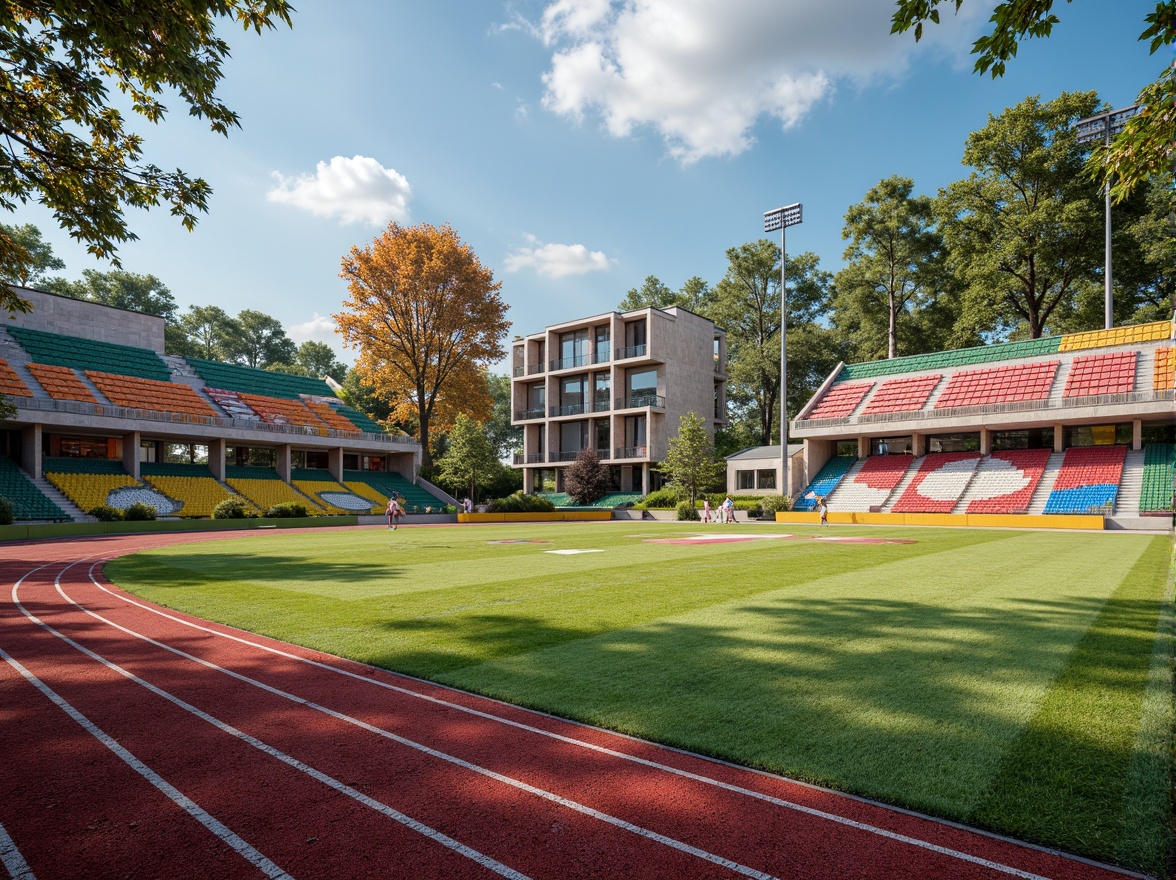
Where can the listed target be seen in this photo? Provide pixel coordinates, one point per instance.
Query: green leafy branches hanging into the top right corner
(1144, 151)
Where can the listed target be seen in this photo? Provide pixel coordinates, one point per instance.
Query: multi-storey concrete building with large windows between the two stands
(618, 383)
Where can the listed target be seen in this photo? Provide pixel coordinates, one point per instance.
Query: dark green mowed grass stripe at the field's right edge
(1066, 782)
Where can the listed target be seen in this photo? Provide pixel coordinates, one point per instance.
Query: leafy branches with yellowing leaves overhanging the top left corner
(66, 146)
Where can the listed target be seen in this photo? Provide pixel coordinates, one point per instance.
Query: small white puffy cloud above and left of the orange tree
(357, 191)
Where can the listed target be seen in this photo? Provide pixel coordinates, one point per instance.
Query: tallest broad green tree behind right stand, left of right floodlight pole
(1025, 230)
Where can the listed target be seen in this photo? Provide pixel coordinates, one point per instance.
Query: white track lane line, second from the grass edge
(420, 748)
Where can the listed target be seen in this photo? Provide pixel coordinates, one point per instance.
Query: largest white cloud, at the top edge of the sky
(704, 74)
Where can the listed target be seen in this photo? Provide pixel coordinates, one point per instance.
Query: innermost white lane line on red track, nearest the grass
(593, 748)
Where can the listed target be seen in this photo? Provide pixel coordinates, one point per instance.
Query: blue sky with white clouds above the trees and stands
(578, 145)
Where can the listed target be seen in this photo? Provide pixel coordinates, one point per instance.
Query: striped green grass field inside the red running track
(1015, 681)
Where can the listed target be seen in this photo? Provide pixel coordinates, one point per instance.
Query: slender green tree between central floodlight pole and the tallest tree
(894, 268)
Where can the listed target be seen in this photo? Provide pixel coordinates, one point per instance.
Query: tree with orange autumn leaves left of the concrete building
(429, 321)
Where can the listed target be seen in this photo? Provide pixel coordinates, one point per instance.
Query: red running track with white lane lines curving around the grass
(142, 743)
